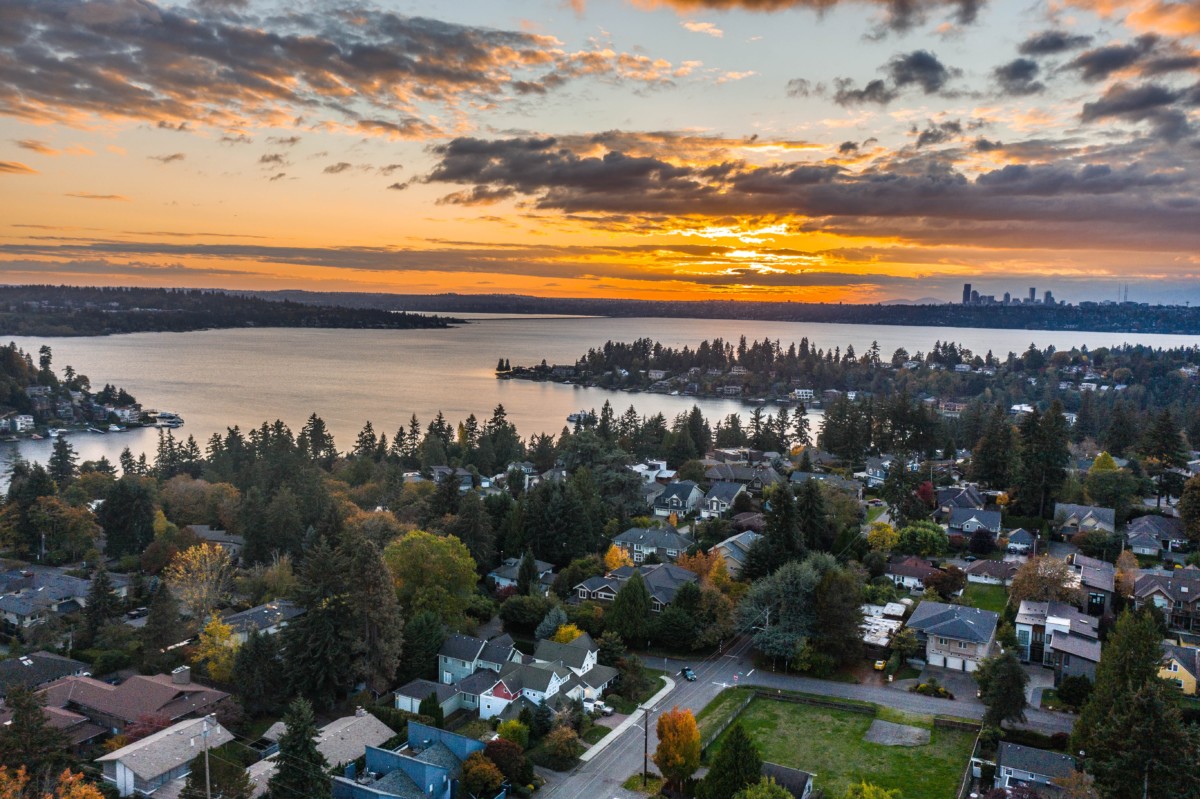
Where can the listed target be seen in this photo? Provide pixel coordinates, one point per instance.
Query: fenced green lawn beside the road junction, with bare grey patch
(830, 744)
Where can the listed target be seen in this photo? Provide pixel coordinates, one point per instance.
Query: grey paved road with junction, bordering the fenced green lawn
(602, 777)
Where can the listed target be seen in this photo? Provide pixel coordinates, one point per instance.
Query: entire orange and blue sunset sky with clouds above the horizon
(803, 151)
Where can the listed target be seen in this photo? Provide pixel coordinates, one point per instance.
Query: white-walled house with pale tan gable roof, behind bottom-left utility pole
(148, 765)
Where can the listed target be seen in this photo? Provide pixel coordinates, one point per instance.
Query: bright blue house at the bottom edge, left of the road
(428, 767)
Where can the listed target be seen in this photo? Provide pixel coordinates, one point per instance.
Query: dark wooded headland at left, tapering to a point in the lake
(93, 311)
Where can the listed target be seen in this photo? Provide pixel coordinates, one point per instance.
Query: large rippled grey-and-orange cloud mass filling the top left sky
(181, 65)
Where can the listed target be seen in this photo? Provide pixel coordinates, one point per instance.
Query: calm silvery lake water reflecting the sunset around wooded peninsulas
(219, 379)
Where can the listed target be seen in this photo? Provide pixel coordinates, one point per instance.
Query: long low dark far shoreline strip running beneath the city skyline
(1093, 317)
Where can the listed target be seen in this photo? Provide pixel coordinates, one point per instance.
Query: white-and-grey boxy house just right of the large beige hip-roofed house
(1059, 636)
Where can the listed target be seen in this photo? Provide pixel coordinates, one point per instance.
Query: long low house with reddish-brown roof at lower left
(115, 707)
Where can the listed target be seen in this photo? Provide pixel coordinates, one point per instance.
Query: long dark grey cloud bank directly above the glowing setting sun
(920, 195)
